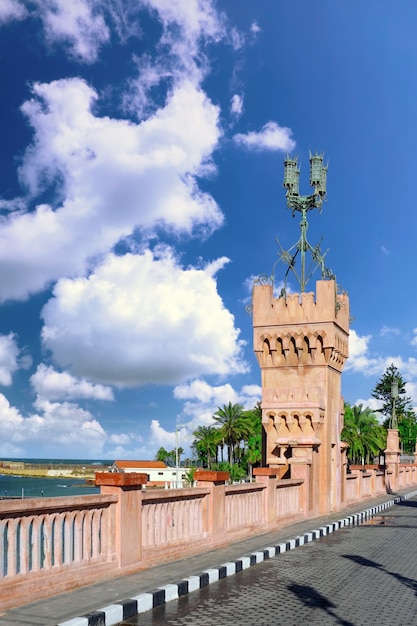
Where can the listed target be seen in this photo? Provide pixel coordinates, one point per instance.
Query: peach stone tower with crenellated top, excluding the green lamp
(301, 343)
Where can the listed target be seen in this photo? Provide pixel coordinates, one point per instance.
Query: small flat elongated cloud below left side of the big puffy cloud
(52, 385)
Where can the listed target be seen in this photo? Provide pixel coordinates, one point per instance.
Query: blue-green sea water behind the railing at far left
(27, 487)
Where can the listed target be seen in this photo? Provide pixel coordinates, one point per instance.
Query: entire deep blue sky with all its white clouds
(141, 165)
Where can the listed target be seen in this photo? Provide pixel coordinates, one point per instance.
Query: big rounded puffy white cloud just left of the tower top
(140, 319)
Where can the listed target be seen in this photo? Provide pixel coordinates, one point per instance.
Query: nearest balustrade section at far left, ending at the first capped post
(46, 545)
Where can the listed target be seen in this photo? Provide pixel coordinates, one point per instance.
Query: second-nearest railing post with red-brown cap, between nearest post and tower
(216, 513)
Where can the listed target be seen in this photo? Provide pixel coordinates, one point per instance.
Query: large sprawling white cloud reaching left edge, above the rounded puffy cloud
(149, 179)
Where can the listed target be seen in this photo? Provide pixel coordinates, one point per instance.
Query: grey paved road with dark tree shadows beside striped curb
(359, 576)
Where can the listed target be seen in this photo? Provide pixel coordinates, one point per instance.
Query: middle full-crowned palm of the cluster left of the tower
(234, 427)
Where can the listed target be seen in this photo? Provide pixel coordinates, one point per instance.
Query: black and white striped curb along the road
(115, 613)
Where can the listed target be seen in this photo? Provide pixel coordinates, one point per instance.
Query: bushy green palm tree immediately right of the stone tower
(363, 433)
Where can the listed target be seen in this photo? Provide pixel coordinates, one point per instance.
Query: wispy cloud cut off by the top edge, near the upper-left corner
(76, 24)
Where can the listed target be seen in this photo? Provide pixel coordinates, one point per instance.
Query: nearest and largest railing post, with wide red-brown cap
(128, 526)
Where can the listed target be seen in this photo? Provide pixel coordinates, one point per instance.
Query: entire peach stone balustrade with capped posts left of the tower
(51, 545)
